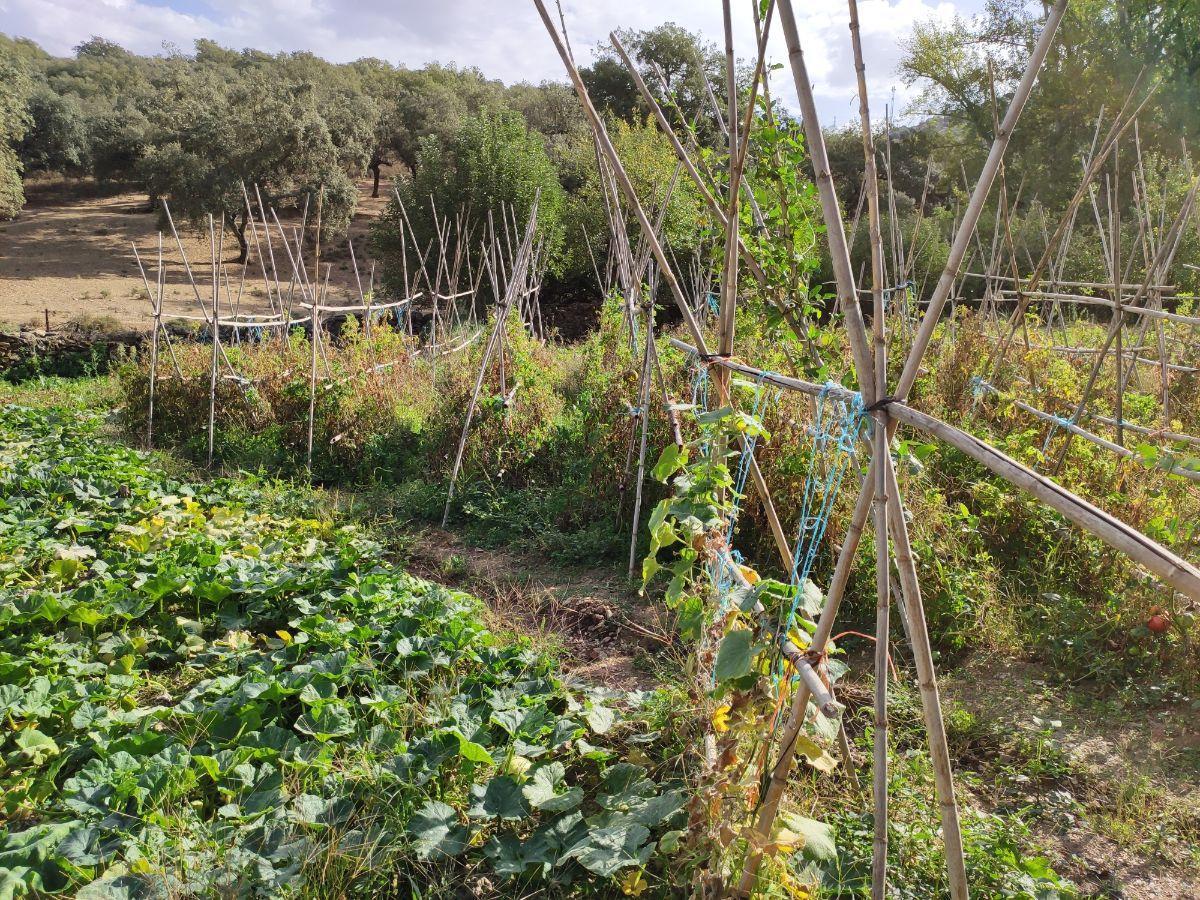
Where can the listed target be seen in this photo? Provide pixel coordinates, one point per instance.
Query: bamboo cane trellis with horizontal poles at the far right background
(1142, 302)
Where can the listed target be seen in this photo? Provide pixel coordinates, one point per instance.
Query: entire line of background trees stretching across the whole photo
(197, 128)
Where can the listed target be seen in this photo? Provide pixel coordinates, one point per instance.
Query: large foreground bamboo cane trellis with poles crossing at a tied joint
(880, 488)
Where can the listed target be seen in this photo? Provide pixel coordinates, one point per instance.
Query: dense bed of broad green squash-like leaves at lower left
(207, 691)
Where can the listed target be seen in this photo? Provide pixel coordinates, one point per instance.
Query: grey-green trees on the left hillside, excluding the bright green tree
(197, 128)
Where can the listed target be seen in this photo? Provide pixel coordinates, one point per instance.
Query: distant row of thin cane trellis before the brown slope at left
(308, 305)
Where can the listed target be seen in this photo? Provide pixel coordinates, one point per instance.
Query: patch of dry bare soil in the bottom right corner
(1114, 746)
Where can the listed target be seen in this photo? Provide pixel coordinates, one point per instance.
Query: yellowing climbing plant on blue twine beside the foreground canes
(737, 674)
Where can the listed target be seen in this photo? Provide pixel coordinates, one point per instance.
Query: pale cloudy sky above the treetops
(505, 39)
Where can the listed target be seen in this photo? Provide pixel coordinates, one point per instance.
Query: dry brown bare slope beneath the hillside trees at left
(70, 253)
